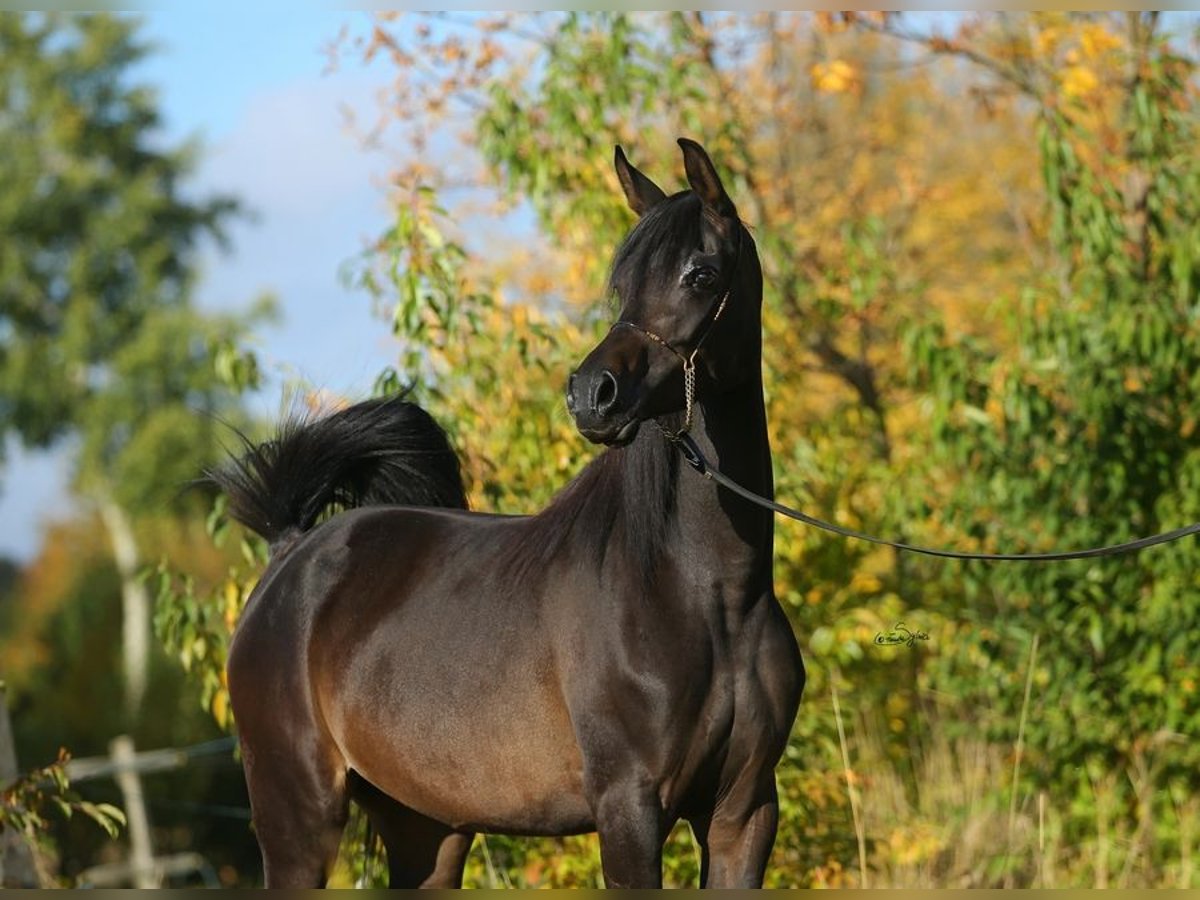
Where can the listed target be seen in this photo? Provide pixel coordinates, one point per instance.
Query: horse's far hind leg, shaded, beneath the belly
(422, 853)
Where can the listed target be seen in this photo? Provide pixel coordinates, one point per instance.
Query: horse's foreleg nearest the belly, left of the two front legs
(632, 833)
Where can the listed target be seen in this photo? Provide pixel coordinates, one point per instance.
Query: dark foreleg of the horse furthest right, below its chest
(737, 842)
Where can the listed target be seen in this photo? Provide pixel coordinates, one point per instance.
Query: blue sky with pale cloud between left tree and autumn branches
(255, 89)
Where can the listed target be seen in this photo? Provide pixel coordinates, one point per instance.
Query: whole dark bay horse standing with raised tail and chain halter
(615, 663)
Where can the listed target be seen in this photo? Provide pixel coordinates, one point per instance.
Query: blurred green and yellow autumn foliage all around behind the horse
(981, 241)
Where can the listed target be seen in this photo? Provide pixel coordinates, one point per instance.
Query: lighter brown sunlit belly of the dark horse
(476, 747)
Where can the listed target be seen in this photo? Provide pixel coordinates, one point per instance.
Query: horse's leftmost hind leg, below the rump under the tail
(301, 808)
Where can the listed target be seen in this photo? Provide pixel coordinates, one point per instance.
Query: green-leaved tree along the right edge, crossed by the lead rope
(1084, 434)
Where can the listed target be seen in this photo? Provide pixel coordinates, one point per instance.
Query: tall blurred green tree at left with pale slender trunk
(99, 341)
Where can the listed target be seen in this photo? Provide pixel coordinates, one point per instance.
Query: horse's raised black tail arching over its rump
(376, 453)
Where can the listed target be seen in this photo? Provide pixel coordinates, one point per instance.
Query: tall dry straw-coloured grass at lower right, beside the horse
(956, 813)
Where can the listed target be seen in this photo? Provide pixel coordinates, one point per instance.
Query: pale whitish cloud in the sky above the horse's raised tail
(317, 200)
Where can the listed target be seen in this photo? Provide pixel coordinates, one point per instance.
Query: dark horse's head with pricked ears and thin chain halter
(691, 291)
